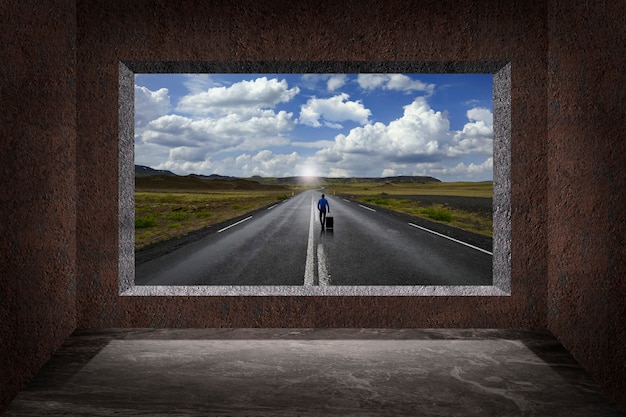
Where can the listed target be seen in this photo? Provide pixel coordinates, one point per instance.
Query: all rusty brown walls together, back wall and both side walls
(58, 162)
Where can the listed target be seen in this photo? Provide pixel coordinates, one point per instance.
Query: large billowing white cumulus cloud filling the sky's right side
(421, 137)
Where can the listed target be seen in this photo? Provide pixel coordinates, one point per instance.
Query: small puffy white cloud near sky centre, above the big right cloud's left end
(333, 110)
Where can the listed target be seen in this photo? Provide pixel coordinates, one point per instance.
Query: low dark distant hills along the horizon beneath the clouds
(146, 177)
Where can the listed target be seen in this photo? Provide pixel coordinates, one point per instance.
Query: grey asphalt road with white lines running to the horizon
(285, 245)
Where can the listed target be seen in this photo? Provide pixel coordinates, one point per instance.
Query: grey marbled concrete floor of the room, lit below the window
(307, 372)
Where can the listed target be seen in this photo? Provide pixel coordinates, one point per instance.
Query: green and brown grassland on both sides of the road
(163, 213)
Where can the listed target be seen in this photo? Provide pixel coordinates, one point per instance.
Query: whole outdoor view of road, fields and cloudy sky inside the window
(229, 170)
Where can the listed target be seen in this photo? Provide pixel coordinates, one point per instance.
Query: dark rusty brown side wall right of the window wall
(587, 191)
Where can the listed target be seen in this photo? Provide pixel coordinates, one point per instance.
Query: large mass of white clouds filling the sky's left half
(213, 121)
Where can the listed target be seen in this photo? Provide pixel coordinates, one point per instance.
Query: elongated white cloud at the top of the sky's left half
(242, 97)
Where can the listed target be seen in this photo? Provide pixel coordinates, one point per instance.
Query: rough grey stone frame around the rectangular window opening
(501, 176)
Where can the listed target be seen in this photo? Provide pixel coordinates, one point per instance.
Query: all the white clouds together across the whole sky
(237, 131)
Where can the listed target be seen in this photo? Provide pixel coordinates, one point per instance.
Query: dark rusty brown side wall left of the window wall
(38, 195)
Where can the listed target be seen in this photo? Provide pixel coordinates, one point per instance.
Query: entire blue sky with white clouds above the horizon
(337, 125)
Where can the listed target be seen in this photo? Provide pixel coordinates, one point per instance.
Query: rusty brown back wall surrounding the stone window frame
(113, 31)
